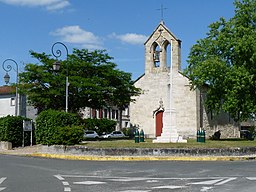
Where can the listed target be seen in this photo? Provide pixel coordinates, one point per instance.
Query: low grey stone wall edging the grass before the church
(82, 150)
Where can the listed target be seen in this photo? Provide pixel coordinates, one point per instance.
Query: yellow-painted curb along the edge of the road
(143, 158)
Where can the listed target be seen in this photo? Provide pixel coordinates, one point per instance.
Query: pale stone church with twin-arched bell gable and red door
(168, 109)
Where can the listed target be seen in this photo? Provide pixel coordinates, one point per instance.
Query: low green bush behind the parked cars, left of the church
(100, 125)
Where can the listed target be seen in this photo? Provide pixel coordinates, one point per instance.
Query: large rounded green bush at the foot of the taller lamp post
(57, 127)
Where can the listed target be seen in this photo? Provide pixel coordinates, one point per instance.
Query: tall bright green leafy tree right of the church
(225, 62)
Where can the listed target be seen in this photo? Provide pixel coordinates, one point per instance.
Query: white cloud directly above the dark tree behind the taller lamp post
(74, 34)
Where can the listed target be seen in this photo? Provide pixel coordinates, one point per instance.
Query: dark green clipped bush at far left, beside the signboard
(11, 130)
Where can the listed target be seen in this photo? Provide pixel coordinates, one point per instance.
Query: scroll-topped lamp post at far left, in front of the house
(7, 67)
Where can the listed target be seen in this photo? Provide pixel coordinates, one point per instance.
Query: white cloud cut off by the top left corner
(48, 4)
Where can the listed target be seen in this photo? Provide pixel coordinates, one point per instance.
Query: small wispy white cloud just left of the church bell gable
(131, 38)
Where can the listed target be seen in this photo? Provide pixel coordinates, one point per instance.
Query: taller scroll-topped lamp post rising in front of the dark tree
(56, 65)
